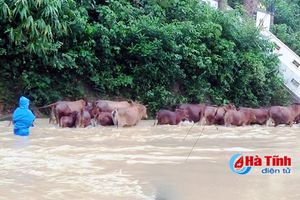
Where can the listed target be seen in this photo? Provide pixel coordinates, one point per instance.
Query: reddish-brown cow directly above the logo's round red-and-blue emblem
(238, 117)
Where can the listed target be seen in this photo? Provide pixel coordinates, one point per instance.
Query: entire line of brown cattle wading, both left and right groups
(128, 113)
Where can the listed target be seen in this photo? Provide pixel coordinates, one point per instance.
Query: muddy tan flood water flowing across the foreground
(144, 162)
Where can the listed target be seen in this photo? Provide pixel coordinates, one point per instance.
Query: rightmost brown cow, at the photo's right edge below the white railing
(284, 115)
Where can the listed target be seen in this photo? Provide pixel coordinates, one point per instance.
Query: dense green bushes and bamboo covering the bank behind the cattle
(157, 52)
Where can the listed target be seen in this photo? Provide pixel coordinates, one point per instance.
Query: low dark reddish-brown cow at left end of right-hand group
(170, 117)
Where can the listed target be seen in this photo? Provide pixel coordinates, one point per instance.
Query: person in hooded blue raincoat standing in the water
(23, 117)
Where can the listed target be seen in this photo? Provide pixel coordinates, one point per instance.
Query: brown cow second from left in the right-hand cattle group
(194, 111)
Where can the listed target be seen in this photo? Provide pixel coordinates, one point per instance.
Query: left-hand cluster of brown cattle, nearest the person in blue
(102, 112)
